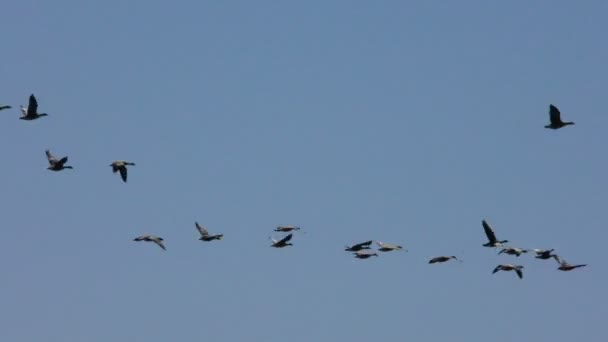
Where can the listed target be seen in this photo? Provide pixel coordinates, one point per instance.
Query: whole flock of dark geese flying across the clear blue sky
(361, 250)
